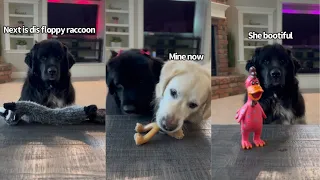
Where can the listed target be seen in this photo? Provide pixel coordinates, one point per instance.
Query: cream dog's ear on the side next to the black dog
(169, 71)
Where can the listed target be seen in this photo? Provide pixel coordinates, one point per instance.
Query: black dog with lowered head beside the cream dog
(131, 77)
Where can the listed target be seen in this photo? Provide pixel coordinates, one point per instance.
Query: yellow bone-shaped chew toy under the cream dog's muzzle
(153, 128)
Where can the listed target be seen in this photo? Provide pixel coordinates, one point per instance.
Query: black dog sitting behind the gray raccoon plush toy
(53, 90)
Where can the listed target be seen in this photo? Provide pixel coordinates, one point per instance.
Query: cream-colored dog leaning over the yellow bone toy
(182, 94)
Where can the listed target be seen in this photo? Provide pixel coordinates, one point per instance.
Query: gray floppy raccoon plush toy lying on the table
(41, 114)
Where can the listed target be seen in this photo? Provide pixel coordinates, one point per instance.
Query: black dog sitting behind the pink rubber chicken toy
(282, 100)
